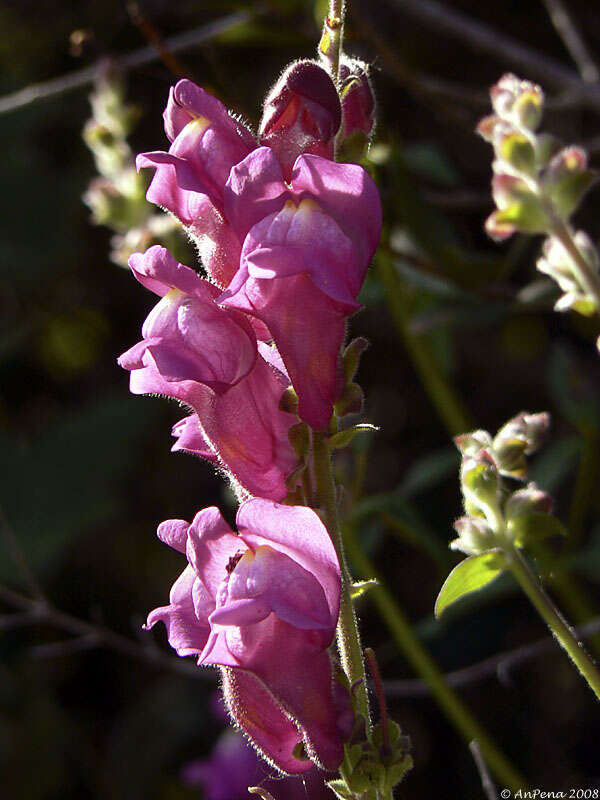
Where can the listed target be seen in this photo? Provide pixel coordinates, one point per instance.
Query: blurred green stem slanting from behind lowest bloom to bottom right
(417, 655)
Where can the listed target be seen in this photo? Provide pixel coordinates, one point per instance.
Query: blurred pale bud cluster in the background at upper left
(117, 196)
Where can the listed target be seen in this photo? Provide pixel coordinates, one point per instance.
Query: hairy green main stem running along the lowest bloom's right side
(348, 637)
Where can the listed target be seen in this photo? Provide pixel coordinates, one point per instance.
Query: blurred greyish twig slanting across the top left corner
(138, 58)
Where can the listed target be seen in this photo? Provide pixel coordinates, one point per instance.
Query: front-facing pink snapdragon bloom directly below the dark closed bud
(307, 246)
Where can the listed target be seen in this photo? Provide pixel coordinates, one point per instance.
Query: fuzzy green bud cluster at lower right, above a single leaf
(494, 513)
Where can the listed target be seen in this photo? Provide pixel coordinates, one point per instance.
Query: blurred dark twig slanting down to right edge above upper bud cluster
(483, 38)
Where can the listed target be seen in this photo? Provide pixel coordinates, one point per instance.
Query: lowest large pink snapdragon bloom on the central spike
(263, 605)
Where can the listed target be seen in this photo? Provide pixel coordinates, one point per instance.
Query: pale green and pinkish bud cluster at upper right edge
(537, 186)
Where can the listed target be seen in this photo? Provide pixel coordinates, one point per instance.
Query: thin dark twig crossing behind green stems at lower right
(500, 665)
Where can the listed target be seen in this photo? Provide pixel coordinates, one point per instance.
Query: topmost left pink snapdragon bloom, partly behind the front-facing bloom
(189, 180)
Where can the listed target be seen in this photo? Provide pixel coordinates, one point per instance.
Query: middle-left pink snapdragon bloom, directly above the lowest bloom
(206, 357)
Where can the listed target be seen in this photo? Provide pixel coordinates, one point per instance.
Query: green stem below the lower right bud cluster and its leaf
(552, 617)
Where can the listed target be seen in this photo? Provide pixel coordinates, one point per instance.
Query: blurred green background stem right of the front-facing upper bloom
(448, 406)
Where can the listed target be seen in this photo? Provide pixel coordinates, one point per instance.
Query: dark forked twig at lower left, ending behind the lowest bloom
(89, 635)
